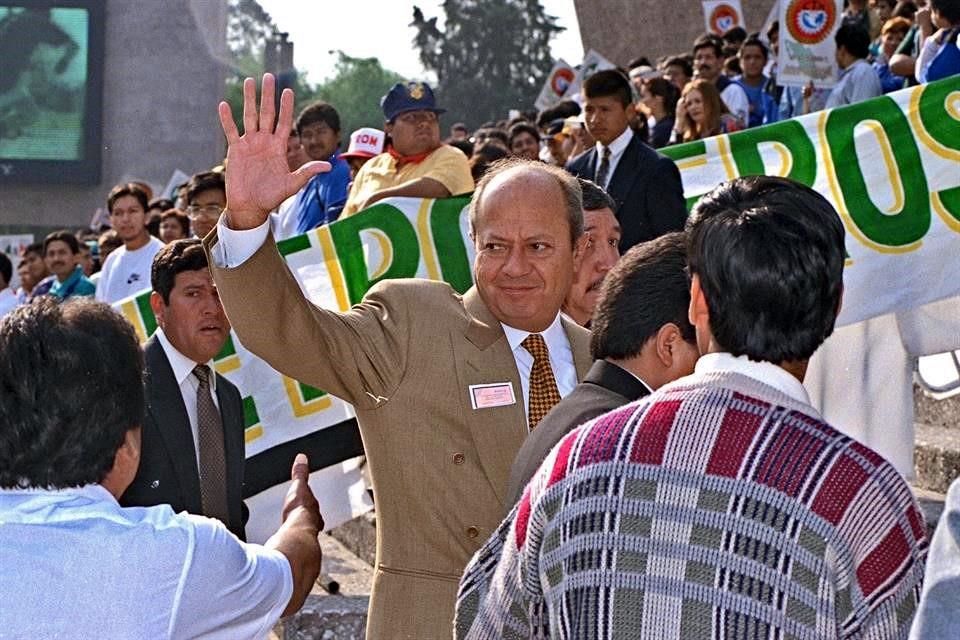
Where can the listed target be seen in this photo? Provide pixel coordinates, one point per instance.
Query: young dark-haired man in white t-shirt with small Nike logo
(127, 269)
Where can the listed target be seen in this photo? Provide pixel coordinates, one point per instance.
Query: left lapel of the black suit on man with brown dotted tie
(165, 405)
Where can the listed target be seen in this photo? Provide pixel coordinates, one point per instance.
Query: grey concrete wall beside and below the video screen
(164, 71)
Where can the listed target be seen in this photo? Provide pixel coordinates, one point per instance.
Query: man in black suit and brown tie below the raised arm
(192, 455)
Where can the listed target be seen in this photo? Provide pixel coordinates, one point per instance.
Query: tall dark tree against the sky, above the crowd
(490, 57)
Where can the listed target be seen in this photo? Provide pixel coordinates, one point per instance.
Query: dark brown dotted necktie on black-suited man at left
(213, 461)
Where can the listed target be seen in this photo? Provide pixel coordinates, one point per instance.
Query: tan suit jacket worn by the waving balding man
(405, 357)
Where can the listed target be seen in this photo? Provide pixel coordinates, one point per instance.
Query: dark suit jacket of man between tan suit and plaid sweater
(605, 388)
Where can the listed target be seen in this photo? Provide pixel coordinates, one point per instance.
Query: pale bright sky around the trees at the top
(378, 28)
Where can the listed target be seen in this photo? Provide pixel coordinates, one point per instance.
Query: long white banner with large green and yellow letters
(889, 165)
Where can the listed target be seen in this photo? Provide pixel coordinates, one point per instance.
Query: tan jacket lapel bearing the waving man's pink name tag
(484, 357)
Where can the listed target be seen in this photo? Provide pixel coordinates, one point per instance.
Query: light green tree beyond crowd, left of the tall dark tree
(355, 91)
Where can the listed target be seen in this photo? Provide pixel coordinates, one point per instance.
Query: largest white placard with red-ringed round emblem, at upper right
(807, 48)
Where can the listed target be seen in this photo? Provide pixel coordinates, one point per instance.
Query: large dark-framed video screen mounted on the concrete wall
(51, 79)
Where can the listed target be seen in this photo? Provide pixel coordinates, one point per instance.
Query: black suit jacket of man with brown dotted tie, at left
(168, 460)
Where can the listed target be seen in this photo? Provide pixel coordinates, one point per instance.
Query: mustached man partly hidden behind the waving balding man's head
(601, 253)
